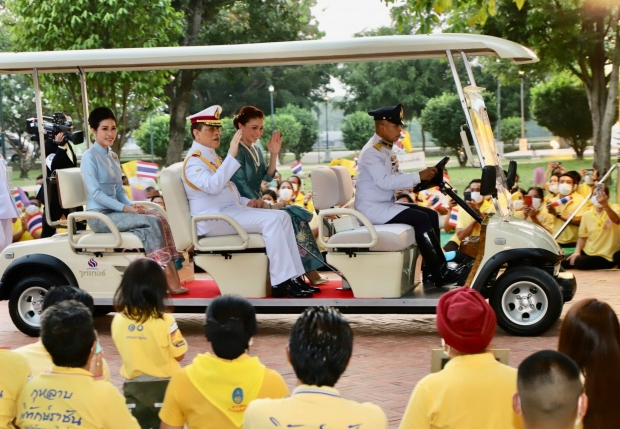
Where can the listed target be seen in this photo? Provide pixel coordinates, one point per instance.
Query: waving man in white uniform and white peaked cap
(206, 179)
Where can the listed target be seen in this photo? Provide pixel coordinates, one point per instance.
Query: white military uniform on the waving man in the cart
(207, 183)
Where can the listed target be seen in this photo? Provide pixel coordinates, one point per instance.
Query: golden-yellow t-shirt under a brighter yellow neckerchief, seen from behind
(184, 404)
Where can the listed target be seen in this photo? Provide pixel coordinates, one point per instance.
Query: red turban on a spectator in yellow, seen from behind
(465, 320)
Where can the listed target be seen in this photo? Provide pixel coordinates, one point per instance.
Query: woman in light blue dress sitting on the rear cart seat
(102, 174)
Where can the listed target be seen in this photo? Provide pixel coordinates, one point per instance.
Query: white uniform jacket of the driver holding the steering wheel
(378, 177)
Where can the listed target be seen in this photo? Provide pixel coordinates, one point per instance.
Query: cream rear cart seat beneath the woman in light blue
(72, 192)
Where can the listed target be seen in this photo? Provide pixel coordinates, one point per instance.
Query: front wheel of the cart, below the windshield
(527, 301)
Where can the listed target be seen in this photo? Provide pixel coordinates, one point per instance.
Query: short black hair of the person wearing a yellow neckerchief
(231, 322)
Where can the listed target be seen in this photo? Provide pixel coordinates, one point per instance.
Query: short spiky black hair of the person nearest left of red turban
(320, 346)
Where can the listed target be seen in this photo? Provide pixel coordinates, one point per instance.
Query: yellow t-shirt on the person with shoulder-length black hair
(149, 348)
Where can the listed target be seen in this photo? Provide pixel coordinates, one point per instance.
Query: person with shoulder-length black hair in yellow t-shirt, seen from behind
(147, 338)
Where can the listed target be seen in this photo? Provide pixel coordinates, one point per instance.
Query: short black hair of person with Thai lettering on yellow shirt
(67, 333)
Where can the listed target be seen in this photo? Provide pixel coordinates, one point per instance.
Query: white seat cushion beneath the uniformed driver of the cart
(392, 238)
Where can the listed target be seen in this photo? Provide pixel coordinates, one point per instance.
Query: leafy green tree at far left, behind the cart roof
(69, 24)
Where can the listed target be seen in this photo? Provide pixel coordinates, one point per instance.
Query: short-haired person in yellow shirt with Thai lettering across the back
(67, 396)
